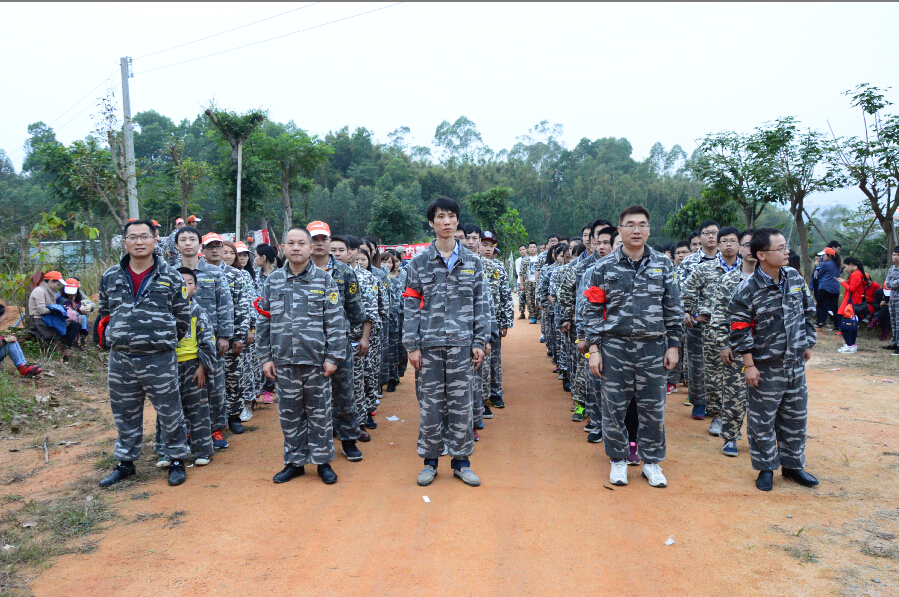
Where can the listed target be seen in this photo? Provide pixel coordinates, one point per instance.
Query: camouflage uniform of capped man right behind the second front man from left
(343, 399)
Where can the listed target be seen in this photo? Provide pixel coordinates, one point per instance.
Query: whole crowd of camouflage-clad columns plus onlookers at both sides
(205, 328)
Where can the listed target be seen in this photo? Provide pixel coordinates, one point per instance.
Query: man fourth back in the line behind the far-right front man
(708, 235)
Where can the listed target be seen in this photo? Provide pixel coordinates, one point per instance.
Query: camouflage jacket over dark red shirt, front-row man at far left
(155, 321)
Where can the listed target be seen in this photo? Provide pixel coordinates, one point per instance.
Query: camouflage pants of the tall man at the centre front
(443, 386)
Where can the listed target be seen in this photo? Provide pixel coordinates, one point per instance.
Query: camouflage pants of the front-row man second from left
(304, 409)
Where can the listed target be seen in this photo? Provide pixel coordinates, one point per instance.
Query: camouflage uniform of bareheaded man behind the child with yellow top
(214, 298)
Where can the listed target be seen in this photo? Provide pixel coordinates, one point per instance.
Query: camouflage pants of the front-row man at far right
(778, 413)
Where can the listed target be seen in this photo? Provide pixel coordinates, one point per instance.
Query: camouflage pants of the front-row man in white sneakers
(634, 368)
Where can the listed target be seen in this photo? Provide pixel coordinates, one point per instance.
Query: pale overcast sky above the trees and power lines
(667, 72)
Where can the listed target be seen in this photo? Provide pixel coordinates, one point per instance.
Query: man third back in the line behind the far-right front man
(697, 292)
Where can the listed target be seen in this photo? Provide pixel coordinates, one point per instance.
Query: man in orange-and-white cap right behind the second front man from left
(343, 400)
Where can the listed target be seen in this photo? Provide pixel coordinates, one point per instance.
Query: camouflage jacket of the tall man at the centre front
(453, 307)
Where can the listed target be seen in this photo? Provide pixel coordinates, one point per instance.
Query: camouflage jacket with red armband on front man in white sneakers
(623, 301)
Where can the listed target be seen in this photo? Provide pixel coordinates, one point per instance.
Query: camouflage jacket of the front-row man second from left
(306, 324)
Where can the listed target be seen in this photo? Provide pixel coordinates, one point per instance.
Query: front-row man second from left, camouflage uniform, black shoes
(301, 340)
